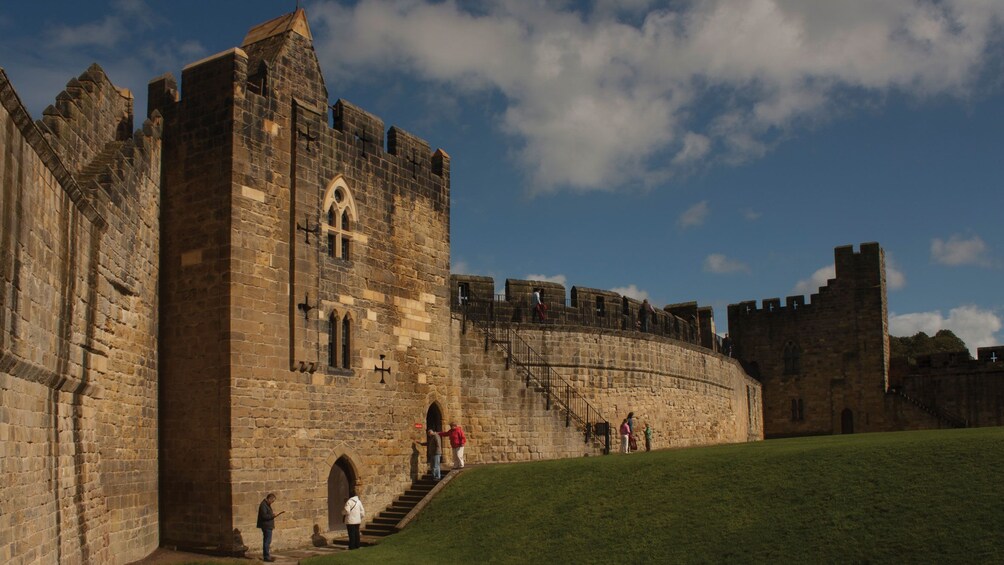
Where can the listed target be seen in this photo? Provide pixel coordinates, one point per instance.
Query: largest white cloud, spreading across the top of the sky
(614, 96)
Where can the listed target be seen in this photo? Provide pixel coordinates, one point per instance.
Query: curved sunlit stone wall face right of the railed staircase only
(690, 395)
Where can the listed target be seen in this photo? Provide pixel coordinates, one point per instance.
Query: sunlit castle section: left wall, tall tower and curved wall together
(252, 294)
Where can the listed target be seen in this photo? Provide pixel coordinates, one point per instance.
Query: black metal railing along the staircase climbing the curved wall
(536, 370)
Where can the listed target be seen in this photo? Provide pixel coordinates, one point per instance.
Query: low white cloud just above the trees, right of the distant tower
(974, 326)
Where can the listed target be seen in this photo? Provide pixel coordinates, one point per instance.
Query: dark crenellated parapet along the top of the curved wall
(588, 308)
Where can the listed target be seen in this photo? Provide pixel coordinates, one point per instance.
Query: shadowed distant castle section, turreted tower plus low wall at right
(826, 369)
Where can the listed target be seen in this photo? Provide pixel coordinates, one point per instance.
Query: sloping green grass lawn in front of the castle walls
(918, 497)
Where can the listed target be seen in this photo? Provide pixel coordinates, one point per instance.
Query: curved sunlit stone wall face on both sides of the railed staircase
(690, 396)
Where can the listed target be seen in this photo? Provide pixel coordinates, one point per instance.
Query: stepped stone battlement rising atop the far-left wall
(89, 114)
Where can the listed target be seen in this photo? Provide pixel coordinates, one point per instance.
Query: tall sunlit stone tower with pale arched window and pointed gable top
(300, 255)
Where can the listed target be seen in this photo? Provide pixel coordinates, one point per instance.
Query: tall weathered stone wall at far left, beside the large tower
(79, 275)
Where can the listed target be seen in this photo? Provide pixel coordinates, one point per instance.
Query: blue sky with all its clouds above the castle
(710, 151)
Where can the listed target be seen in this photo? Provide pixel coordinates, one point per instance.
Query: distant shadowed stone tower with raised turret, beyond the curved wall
(824, 366)
